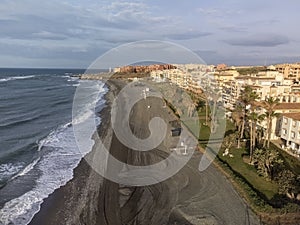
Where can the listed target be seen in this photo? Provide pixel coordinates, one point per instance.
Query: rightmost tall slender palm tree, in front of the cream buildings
(269, 105)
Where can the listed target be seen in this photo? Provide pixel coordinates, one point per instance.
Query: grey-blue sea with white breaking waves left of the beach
(38, 151)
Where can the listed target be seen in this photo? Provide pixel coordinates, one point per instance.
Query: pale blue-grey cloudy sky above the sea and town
(73, 33)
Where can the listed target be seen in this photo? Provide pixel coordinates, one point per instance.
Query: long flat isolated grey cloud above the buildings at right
(259, 41)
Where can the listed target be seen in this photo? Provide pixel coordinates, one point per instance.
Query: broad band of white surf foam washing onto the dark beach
(59, 156)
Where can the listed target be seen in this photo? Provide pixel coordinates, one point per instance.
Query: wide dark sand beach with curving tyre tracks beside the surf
(189, 197)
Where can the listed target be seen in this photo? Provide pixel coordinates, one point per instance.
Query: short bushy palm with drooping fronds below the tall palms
(267, 162)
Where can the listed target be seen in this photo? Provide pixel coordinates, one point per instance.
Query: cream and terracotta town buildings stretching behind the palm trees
(275, 81)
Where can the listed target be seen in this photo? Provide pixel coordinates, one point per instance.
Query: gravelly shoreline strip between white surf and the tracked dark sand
(76, 202)
